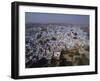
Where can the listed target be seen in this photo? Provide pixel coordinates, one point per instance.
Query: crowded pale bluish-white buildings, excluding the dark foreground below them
(48, 40)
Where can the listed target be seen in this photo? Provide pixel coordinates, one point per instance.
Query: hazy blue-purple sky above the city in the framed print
(31, 17)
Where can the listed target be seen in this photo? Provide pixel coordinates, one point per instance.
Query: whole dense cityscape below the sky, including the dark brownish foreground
(52, 45)
